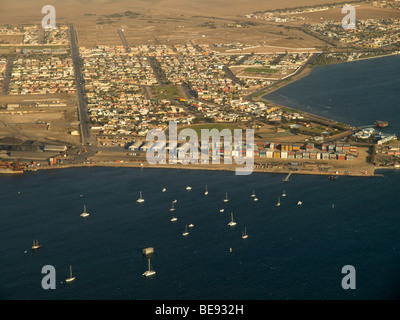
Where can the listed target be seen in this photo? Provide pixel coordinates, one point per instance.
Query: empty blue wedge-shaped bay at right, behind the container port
(358, 93)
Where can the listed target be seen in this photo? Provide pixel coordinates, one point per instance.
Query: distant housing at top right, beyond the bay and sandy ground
(369, 33)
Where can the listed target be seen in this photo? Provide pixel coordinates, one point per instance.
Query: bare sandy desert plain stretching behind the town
(178, 21)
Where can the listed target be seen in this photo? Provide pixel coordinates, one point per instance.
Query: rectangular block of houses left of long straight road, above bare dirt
(42, 76)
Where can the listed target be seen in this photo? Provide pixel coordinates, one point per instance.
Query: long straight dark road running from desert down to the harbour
(86, 136)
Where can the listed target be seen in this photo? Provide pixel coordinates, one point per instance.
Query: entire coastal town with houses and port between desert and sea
(129, 90)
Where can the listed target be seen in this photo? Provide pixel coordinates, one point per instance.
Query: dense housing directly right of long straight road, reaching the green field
(117, 101)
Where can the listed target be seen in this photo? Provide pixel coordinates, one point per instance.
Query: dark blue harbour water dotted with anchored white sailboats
(292, 252)
